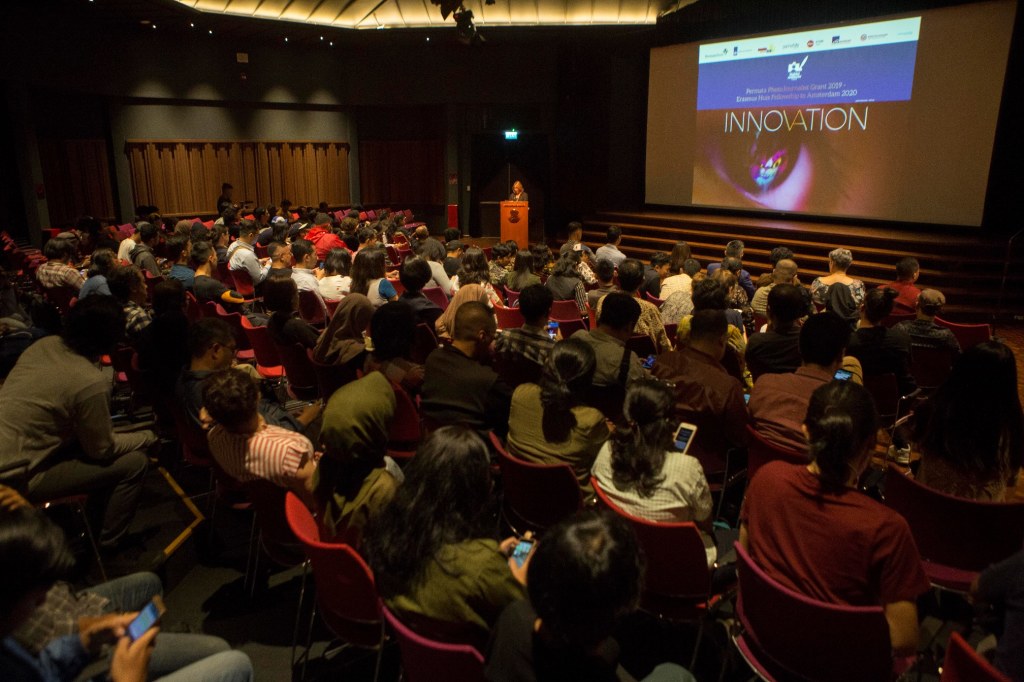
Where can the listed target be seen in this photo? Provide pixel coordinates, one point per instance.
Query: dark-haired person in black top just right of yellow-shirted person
(778, 351)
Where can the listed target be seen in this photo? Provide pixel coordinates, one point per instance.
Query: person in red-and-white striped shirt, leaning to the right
(249, 449)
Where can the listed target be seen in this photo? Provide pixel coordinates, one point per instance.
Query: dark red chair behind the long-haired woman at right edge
(957, 538)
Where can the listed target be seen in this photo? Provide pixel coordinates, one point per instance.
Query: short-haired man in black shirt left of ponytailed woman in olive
(458, 389)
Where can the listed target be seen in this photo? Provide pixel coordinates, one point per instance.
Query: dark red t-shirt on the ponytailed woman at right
(842, 548)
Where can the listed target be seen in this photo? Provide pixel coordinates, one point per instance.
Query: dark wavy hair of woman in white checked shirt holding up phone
(638, 447)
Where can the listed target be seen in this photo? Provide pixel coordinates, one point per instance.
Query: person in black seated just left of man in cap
(882, 351)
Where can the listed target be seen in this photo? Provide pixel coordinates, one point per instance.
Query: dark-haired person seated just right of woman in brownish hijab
(393, 331)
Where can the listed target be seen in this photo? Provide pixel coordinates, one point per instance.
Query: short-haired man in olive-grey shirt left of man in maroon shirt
(617, 365)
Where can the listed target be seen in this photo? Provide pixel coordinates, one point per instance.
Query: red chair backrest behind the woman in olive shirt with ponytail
(537, 496)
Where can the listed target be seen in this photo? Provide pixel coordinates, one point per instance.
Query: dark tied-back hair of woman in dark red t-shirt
(842, 424)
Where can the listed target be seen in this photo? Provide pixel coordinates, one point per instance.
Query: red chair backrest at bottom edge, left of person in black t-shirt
(428, 660)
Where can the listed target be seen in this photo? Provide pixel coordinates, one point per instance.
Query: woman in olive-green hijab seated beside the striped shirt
(355, 482)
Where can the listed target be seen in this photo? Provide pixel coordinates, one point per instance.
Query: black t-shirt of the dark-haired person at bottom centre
(517, 654)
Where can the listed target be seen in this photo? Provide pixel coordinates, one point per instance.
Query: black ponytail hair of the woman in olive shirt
(567, 377)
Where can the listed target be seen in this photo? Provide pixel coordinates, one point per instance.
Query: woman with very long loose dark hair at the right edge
(970, 433)
